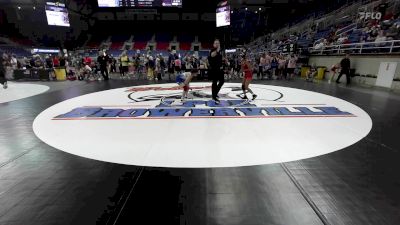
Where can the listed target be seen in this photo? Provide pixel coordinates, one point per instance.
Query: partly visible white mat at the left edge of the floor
(16, 91)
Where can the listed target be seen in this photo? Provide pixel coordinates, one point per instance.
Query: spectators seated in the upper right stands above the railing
(362, 30)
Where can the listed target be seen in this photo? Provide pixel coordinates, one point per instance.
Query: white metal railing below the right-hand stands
(383, 47)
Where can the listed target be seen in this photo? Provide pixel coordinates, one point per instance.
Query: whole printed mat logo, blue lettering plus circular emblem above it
(165, 103)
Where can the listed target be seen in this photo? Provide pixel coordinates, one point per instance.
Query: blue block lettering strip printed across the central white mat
(202, 109)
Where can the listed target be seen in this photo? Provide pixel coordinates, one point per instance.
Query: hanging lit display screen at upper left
(57, 14)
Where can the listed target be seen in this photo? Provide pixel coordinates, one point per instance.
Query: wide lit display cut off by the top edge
(140, 3)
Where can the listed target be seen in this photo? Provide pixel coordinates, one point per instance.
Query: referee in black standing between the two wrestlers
(216, 70)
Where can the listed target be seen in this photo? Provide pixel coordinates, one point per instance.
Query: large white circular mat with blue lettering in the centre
(150, 126)
